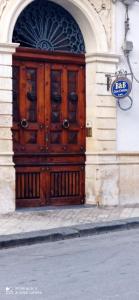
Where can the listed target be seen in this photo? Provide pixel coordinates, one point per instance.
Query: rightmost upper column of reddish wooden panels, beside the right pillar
(75, 109)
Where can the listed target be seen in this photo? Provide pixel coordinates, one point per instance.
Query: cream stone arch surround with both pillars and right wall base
(111, 177)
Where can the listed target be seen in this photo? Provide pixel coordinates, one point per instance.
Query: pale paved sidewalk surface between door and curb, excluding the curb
(31, 220)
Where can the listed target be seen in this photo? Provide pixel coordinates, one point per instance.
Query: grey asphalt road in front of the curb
(102, 267)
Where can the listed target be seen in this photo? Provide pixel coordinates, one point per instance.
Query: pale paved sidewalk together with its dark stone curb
(53, 223)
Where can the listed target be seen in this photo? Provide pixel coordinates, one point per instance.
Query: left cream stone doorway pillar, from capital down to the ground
(7, 172)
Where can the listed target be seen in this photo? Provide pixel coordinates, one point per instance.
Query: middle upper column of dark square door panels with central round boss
(56, 107)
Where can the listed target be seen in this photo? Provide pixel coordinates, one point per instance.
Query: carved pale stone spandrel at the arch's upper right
(104, 11)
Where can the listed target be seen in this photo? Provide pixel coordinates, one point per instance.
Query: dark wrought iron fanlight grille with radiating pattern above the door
(46, 25)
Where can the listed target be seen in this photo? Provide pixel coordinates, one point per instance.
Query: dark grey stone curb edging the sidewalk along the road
(57, 234)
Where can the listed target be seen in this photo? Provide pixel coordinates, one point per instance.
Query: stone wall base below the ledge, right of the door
(115, 178)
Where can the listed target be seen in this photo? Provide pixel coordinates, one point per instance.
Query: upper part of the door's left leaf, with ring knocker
(29, 121)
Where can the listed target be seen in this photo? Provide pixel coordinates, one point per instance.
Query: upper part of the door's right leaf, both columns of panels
(67, 82)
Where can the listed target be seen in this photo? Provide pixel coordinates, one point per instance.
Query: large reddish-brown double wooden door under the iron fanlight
(49, 128)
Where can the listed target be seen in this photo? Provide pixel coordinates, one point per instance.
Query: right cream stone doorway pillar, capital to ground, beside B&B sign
(101, 181)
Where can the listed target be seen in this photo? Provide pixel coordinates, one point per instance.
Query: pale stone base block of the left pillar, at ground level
(7, 189)
